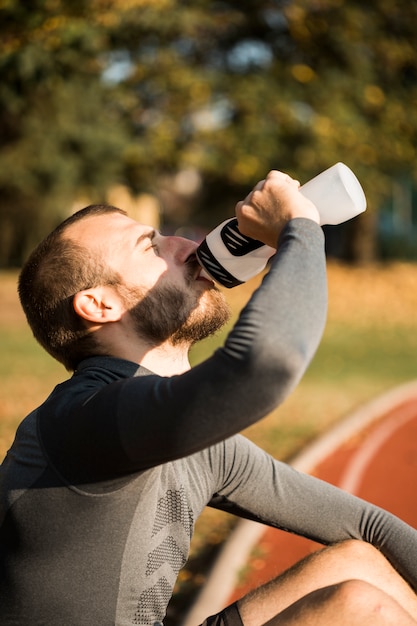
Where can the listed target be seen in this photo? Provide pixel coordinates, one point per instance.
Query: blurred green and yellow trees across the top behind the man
(196, 100)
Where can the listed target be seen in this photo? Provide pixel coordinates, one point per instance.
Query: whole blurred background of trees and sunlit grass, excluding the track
(173, 110)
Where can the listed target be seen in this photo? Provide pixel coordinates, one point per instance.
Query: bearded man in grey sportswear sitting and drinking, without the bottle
(104, 482)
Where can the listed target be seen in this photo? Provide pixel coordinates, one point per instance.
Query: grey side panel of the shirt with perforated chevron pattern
(157, 546)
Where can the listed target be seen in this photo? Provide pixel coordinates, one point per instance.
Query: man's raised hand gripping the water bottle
(271, 204)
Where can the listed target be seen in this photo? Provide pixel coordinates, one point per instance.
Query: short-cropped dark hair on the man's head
(57, 269)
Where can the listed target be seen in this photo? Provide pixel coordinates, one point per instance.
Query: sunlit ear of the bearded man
(98, 305)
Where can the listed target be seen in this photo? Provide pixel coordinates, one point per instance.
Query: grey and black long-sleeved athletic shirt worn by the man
(102, 486)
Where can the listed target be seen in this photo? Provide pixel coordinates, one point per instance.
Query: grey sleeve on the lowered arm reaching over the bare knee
(256, 486)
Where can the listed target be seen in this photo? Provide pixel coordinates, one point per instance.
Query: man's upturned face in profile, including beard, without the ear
(164, 290)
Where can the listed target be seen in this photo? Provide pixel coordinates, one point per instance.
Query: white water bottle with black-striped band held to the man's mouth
(230, 258)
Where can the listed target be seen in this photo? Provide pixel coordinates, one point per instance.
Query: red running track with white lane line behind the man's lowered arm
(378, 463)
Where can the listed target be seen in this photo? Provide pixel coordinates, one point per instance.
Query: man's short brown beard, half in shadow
(168, 313)
